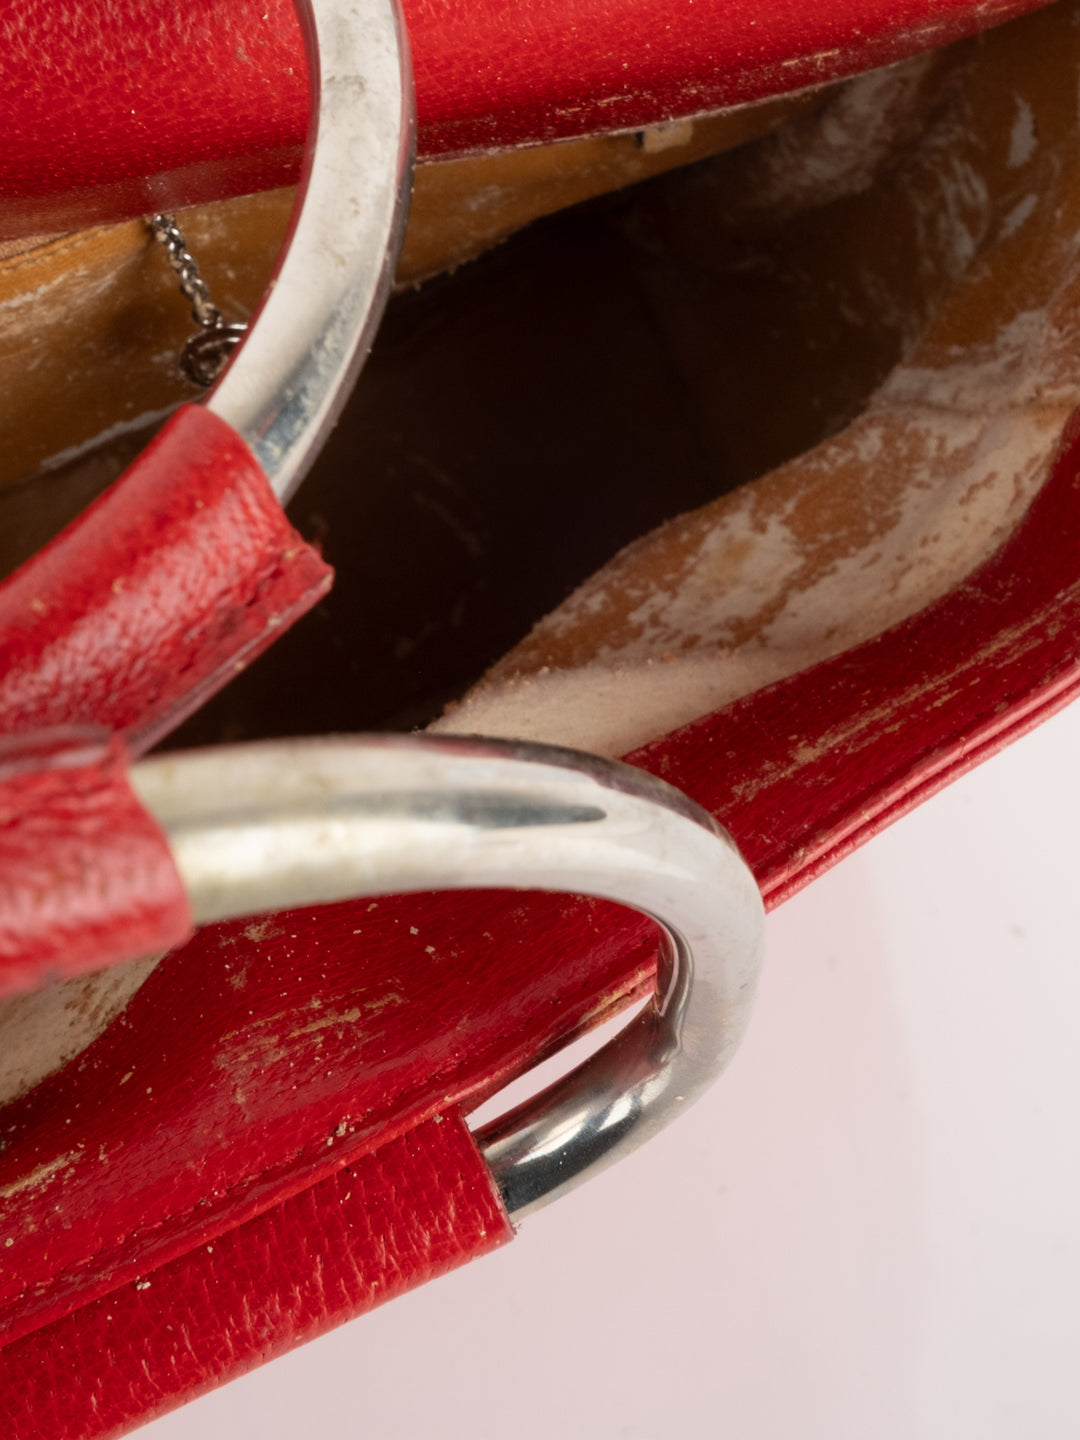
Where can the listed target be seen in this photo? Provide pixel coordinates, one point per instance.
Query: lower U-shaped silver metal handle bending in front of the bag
(267, 827)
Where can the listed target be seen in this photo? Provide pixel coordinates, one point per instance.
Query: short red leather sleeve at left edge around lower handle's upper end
(84, 870)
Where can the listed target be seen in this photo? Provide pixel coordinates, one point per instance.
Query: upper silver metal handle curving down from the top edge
(309, 339)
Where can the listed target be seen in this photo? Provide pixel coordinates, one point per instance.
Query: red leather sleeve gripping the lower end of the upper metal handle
(152, 600)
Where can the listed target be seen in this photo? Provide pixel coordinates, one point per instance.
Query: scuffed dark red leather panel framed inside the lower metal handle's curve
(267, 1055)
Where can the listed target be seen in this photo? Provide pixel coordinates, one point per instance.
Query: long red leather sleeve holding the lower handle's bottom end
(414, 1210)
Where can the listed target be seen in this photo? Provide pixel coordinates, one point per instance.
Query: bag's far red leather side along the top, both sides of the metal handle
(133, 106)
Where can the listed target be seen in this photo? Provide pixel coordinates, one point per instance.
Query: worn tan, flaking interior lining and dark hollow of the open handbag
(773, 384)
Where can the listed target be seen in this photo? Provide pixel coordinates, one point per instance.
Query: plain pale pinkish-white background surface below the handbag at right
(868, 1232)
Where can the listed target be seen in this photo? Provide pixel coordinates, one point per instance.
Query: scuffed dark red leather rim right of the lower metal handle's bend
(811, 768)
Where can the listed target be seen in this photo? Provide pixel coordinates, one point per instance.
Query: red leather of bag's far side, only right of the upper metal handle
(496, 74)
